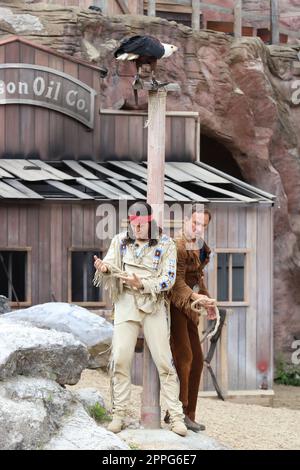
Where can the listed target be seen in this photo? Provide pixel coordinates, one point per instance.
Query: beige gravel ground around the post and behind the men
(233, 425)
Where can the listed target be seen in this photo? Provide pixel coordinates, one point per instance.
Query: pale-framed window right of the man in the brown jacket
(231, 277)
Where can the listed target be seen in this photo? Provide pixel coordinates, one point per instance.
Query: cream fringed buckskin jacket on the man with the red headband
(156, 267)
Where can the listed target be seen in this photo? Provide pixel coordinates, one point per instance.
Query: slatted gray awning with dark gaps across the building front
(114, 180)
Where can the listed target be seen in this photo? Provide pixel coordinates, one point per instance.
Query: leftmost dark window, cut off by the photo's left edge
(14, 276)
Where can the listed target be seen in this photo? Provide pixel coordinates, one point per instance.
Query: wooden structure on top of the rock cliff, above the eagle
(217, 15)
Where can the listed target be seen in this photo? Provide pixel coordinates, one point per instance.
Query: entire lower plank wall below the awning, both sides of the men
(51, 229)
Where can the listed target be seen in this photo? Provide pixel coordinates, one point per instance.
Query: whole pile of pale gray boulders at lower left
(36, 410)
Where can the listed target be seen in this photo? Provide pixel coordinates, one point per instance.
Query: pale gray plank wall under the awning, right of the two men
(249, 328)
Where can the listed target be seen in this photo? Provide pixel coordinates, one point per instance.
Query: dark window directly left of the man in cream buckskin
(82, 290)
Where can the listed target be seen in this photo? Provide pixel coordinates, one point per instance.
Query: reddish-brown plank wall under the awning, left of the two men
(50, 230)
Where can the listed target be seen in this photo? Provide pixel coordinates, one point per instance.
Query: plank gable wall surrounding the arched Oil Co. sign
(41, 132)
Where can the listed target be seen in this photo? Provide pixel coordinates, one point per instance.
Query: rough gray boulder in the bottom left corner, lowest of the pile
(31, 410)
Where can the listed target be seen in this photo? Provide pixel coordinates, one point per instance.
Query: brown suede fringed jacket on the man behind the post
(190, 265)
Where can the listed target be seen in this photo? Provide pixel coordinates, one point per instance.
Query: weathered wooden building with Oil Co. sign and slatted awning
(61, 161)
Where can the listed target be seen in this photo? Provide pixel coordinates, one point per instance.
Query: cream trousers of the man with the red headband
(156, 333)
